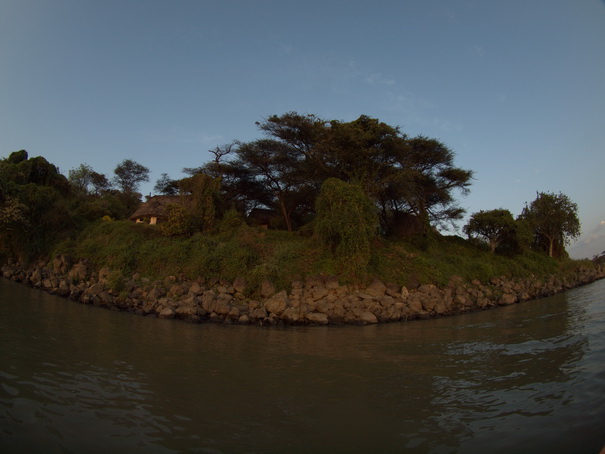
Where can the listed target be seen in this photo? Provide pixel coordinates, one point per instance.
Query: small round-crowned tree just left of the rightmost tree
(495, 226)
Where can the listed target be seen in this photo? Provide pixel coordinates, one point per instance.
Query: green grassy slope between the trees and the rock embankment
(257, 254)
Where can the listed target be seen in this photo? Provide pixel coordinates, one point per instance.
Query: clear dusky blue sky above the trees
(516, 89)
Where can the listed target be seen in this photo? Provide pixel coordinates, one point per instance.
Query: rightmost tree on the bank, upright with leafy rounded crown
(554, 221)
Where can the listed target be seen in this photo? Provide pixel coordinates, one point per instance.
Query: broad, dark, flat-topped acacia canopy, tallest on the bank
(285, 170)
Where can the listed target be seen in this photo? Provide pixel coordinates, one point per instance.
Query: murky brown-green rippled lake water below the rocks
(523, 378)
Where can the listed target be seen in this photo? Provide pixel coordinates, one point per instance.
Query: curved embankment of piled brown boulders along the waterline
(318, 300)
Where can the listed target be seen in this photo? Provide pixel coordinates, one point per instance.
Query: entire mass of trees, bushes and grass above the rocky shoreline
(340, 191)
